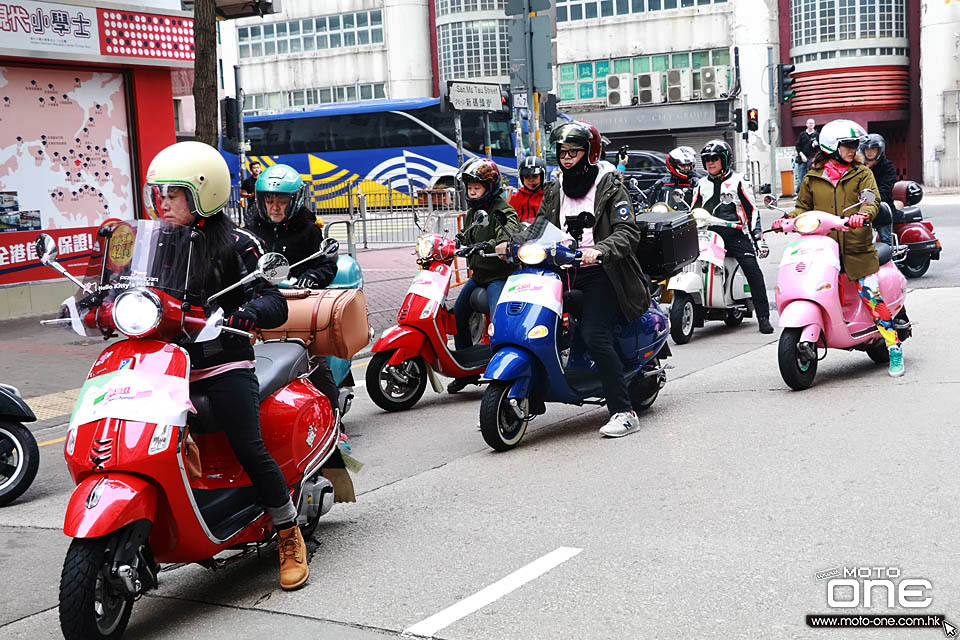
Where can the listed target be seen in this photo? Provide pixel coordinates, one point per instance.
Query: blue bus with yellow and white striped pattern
(378, 145)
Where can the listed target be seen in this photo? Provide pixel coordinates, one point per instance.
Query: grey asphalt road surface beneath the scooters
(712, 522)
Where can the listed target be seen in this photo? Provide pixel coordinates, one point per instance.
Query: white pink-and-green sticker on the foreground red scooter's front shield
(131, 395)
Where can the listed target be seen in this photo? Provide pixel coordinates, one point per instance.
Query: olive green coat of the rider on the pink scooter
(857, 253)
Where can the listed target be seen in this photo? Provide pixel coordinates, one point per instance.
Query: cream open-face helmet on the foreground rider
(198, 169)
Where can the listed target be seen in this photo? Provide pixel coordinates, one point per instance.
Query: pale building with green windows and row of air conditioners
(673, 64)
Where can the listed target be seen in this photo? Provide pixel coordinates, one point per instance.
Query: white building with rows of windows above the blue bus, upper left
(321, 51)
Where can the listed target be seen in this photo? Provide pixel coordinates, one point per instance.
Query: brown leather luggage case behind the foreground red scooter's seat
(332, 322)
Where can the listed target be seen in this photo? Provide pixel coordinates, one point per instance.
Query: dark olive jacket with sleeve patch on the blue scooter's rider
(615, 235)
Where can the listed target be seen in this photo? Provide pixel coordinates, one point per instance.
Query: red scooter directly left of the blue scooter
(415, 349)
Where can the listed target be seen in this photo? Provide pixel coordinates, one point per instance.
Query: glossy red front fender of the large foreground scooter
(104, 503)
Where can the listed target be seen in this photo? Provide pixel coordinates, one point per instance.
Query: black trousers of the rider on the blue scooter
(599, 317)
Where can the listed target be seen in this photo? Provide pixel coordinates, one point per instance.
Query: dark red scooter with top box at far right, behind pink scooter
(912, 232)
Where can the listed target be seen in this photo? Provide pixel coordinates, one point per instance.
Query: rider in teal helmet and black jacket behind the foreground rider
(287, 226)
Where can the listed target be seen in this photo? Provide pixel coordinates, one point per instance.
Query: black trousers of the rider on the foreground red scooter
(235, 401)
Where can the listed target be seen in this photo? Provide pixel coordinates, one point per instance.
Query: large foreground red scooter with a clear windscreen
(150, 489)
